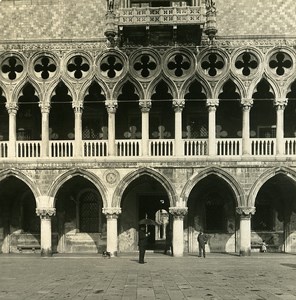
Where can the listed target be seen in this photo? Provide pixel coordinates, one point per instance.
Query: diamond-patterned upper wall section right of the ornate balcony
(256, 17)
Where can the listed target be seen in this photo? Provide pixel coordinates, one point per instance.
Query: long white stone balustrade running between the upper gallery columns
(225, 147)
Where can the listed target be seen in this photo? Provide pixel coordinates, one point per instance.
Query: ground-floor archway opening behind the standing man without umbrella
(211, 209)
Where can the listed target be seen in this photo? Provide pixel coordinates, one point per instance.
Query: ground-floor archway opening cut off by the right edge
(274, 221)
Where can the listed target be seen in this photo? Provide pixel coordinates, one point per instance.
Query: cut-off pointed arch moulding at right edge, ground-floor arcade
(264, 178)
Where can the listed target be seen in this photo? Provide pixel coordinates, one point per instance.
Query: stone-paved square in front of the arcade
(219, 276)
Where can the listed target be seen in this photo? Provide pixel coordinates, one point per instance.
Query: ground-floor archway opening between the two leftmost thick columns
(79, 224)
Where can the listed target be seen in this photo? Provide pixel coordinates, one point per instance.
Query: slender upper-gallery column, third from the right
(212, 106)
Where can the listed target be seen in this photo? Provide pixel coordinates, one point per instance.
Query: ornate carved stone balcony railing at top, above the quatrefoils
(161, 15)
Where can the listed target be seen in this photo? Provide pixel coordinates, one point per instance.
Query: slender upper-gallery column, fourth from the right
(178, 106)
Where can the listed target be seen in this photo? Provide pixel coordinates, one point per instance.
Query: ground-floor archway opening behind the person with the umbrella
(144, 198)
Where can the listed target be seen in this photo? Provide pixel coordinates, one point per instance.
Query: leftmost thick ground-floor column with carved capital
(45, 217)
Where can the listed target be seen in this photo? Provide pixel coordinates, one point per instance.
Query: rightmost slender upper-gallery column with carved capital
(280, 107)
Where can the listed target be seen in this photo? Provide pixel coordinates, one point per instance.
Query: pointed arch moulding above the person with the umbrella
(124, 183)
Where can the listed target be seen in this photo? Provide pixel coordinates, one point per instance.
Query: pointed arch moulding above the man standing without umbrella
(234, 185)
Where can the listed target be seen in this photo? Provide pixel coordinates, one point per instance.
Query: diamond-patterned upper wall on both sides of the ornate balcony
(27, 20)
